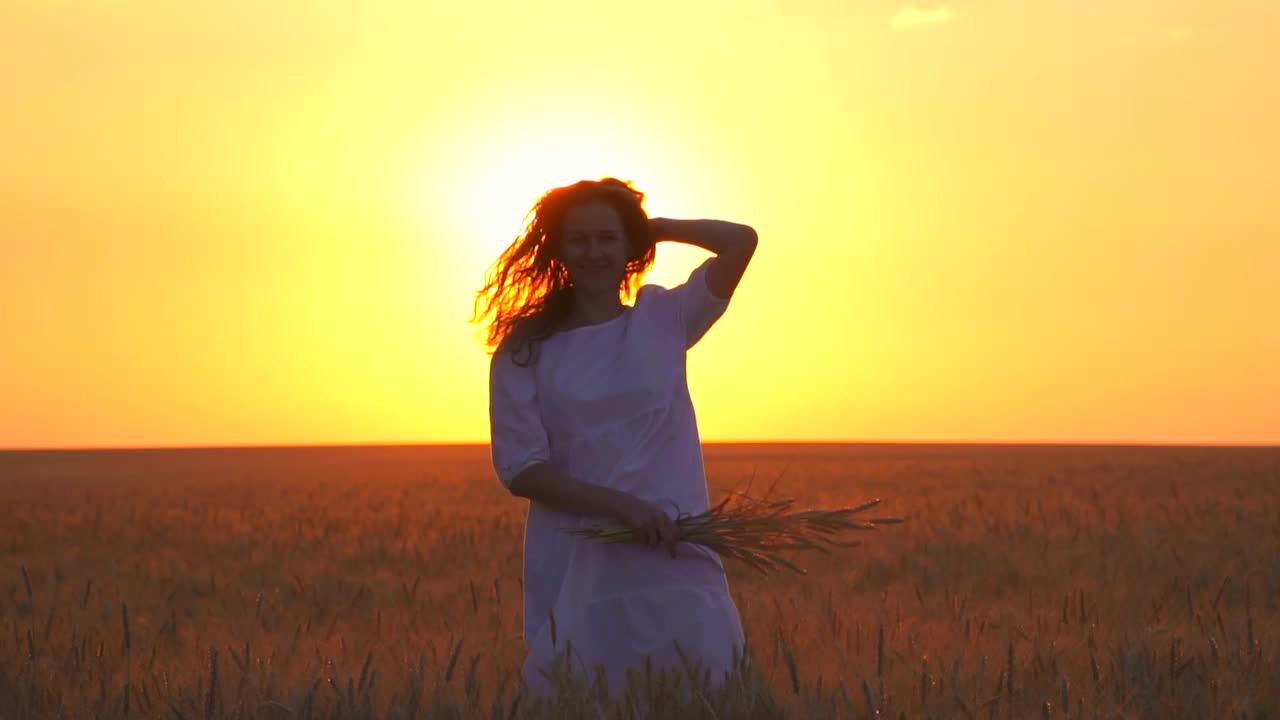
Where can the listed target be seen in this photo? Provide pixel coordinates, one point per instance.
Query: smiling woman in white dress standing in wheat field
(591, 420)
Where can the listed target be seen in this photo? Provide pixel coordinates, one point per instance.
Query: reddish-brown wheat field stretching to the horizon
(385, 582)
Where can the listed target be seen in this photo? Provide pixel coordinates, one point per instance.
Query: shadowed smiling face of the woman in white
(595, 247)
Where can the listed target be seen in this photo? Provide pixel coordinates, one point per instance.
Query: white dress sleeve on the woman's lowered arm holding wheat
(516, 435)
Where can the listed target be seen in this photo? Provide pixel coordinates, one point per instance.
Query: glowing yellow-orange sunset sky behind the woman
(266, 224)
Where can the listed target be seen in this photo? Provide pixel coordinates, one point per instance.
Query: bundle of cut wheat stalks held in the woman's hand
(755, 531)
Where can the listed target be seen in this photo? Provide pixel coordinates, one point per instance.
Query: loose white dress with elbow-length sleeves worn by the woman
(609, 404)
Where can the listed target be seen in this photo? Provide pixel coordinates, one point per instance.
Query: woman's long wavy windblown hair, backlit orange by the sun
(528, 289)
